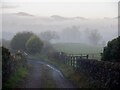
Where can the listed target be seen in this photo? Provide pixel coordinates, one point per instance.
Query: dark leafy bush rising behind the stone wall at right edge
(112, 51)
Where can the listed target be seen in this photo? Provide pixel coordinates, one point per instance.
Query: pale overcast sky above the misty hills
(67, 8)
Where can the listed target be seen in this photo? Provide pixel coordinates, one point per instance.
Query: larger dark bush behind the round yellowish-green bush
(19, 40)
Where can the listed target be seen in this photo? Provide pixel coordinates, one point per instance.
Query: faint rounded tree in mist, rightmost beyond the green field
(94, 37)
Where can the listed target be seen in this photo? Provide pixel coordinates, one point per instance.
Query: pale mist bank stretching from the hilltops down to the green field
(69, 29)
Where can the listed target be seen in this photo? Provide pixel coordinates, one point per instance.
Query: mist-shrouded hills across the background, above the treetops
(26, 22)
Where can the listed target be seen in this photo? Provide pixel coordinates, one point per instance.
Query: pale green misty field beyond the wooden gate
(78, 48)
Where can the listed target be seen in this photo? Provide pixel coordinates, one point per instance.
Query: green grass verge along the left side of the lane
(16, 78)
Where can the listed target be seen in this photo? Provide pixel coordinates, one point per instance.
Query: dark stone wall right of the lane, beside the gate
(107, 73)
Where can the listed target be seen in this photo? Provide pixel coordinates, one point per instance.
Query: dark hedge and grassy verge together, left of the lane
(11, 67)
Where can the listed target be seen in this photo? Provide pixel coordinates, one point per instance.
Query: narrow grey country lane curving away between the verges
(43, 75)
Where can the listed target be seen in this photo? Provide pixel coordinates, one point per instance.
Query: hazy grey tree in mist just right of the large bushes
(49, 35)
